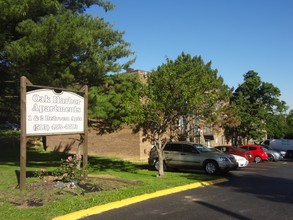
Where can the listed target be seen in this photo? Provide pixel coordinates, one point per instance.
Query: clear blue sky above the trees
(235, 35)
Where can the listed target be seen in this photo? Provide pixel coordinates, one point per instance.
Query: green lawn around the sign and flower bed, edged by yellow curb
(115, 180)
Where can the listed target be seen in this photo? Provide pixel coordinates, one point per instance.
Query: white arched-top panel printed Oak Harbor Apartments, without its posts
(50, 112)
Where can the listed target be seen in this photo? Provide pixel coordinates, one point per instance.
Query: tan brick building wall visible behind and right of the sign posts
(123, 144)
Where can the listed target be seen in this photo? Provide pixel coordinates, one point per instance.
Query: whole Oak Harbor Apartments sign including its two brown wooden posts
(51, 111)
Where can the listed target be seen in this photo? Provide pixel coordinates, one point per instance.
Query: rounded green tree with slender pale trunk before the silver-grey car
(181, 88)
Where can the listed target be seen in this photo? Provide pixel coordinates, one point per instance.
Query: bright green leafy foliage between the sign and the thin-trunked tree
(110, 104)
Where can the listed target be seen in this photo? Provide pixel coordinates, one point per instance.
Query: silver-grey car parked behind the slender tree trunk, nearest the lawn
(181, 155)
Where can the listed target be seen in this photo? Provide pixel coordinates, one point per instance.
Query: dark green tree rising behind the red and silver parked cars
(256, 102)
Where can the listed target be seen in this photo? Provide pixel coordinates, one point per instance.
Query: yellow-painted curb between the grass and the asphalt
(118, 204)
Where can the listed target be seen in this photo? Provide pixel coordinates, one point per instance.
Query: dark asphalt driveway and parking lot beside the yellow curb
(259, 191)
